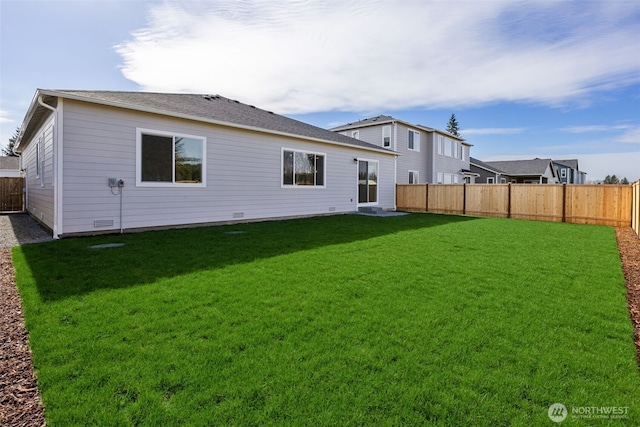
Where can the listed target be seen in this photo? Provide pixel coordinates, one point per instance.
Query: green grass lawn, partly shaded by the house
(345, 320)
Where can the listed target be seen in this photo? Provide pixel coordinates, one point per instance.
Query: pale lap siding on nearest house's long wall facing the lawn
(243, 174)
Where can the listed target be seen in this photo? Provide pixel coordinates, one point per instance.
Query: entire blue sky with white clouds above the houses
(550, 79)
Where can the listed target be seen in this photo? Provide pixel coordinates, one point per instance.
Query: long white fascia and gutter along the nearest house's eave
(205, 120)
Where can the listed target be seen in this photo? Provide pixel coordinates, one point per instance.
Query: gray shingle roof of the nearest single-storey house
(212, 108)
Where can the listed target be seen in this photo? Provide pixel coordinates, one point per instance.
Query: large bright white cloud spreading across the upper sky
(297, 57)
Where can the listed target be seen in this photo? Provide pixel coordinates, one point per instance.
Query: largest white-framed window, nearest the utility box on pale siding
(170, 159)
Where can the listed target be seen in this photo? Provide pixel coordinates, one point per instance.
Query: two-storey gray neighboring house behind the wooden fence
(426, 155)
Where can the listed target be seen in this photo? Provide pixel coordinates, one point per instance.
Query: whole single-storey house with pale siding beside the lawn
(102, 161)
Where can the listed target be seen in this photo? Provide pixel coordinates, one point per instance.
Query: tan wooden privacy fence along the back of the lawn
(579, 204)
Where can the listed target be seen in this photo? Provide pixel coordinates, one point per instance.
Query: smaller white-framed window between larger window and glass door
(301, 168)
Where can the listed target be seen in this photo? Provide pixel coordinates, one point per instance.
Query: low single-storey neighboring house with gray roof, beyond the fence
(535, 171)
